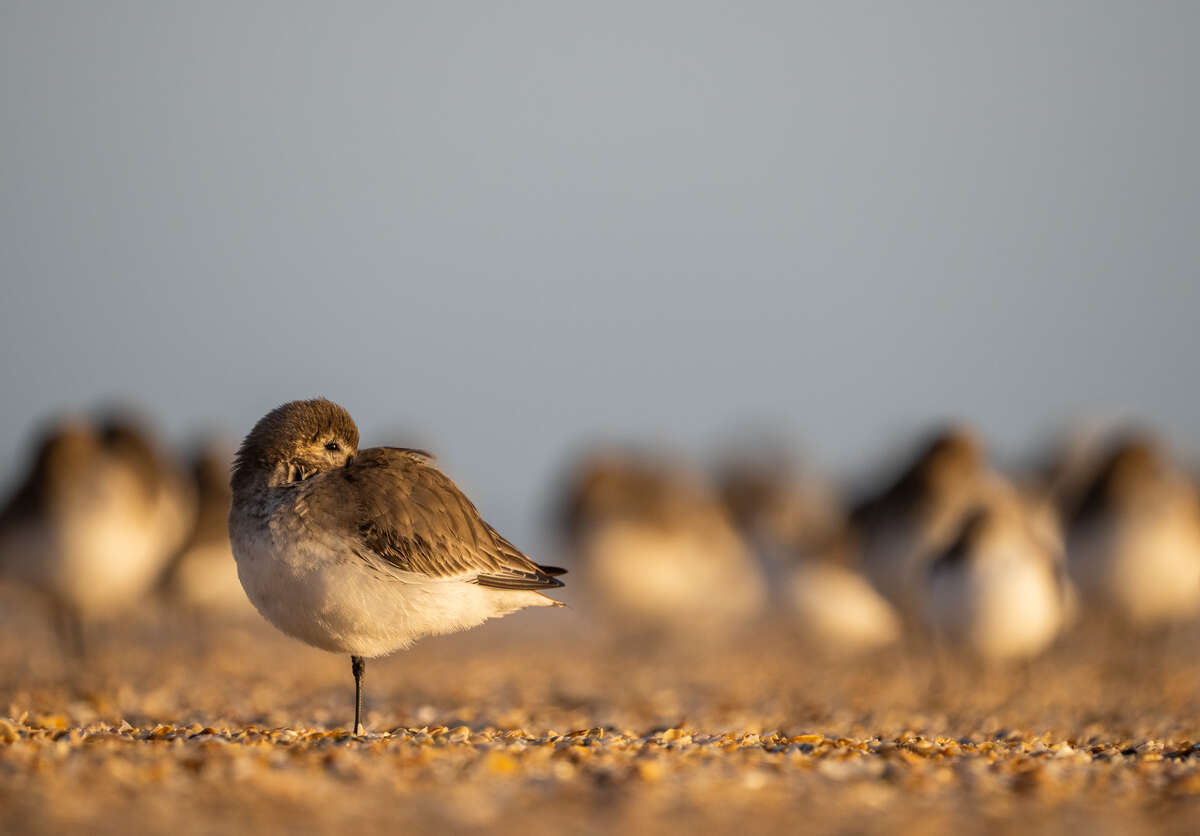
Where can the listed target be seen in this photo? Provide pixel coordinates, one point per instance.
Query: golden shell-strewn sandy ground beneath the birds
(533, 725)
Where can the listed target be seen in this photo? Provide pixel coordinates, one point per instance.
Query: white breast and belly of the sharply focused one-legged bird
(315, 590)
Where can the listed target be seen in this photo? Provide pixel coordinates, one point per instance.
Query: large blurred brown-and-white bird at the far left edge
(93, 522)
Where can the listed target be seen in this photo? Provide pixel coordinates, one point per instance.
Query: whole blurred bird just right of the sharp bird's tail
(658, 549)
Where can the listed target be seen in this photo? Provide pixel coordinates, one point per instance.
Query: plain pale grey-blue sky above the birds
(511, 227)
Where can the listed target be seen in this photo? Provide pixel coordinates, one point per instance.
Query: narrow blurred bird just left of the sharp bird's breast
(203, 575)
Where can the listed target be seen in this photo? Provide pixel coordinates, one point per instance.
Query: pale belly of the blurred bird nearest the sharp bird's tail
(691, 579)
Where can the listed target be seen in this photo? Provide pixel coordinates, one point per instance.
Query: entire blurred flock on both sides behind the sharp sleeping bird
(950, 551)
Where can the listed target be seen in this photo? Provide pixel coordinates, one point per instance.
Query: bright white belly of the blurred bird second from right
(1001, 605)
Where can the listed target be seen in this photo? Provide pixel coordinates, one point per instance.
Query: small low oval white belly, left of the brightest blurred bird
(841, 610)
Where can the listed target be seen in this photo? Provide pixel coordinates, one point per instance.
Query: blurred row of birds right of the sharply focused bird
(950, 554)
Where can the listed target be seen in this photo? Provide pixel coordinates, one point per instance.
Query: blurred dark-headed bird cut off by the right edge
(1135, 537)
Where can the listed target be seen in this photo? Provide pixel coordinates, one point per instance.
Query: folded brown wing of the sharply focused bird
(405, 512)
